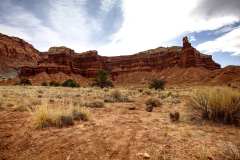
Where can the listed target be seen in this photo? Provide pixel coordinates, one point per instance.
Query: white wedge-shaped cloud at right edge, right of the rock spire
(229, 42)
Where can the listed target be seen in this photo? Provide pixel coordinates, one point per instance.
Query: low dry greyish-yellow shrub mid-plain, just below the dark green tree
(116, 96)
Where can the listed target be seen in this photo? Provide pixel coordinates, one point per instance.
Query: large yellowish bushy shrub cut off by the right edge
(217, 104)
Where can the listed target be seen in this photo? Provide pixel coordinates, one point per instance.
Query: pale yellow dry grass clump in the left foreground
(45, 116)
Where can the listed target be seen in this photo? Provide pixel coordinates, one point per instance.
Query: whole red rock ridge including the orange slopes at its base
(175, 64)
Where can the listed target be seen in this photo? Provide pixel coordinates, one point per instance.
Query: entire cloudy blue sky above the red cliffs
(120, 27)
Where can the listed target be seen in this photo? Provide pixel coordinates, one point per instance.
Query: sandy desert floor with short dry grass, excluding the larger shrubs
(119, 130)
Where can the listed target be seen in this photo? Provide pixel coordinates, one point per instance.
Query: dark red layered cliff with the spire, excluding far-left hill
(88, 63)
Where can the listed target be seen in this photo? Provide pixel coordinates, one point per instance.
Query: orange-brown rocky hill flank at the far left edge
(15, 52)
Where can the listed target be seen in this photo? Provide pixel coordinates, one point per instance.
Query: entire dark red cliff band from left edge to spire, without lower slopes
(19, 54)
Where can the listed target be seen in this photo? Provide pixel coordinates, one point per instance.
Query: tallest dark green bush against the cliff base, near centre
(102, 79)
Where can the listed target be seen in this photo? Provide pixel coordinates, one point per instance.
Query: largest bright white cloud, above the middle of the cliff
(152, 23)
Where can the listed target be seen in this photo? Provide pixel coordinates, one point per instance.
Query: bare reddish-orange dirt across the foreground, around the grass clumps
(115, 132)
